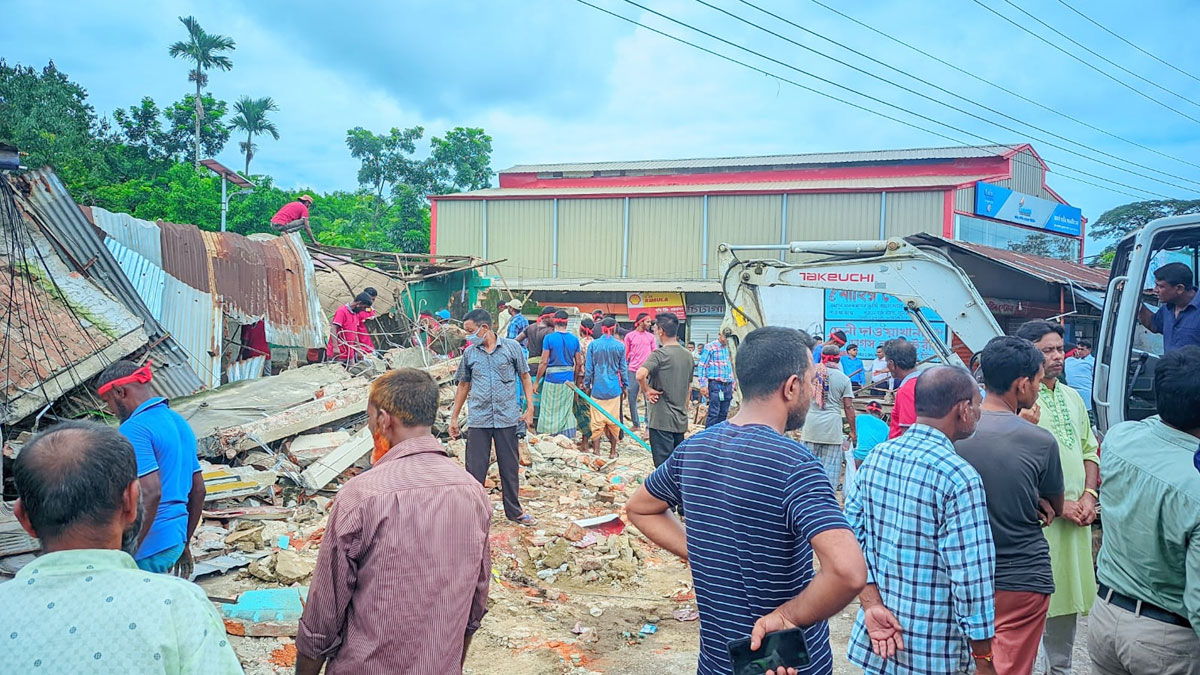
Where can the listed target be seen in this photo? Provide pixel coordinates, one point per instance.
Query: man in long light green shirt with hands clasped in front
(1061, 411)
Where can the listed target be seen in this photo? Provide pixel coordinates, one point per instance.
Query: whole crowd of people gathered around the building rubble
(964, 531)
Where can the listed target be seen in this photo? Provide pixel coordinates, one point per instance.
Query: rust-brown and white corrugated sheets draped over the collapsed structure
(250, 279)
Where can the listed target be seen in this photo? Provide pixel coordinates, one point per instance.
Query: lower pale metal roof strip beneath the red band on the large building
(860, 184)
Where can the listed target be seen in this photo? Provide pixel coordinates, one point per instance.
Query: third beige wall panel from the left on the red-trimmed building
(590, 238)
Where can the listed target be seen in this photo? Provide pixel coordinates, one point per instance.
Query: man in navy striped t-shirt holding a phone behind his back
(759, 506)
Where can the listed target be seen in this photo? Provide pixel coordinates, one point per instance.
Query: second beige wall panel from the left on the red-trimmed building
(520, 232)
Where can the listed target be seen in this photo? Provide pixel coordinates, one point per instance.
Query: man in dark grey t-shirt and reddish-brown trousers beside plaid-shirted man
(1022, 475)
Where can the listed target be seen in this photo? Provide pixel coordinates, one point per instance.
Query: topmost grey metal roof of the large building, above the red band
(775, 162)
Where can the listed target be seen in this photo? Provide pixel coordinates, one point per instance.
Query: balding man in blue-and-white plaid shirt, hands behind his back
(921, 517)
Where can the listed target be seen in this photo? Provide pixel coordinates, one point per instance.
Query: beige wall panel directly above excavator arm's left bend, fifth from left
(741, 220)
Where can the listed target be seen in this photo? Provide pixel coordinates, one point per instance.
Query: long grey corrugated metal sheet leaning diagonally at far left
(44, 198)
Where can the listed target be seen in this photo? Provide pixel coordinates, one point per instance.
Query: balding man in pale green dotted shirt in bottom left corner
(85, 606)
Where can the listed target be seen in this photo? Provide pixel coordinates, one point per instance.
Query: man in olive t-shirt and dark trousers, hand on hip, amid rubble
(667, 380)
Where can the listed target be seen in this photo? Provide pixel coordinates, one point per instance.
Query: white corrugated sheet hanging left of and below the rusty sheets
(194, 321)
